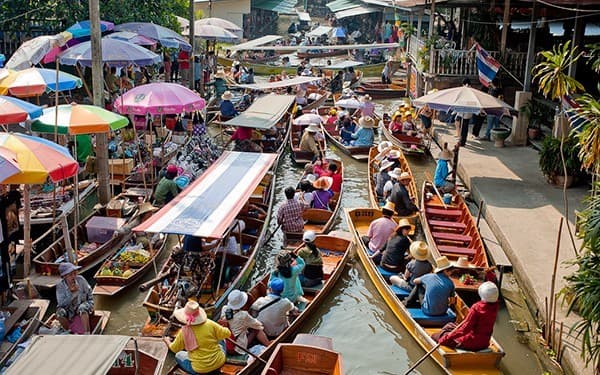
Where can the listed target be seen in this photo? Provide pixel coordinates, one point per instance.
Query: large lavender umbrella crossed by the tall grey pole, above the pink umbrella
(114, 53)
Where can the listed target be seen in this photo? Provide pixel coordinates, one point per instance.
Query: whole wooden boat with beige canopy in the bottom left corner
(112, 355)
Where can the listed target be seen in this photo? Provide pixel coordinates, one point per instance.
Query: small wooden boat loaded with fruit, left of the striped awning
(109, 284)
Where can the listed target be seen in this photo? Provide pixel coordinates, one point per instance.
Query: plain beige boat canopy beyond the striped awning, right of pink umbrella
(264, 113)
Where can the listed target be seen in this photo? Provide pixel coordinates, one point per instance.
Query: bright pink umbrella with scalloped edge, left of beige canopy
(159, 99)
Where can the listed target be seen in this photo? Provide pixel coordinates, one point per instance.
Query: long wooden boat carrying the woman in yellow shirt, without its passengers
(336, 252)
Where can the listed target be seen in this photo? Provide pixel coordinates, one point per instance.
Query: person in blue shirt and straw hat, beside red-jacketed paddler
(438, 288)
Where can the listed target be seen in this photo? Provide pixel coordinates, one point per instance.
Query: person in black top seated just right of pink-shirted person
(393, 257)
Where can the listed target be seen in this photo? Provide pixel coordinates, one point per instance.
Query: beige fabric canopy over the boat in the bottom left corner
(69, 355)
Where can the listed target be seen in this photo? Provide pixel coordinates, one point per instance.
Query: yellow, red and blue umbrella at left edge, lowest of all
(38, 159)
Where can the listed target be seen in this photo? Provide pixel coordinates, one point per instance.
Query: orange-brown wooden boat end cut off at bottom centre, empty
(308, 354)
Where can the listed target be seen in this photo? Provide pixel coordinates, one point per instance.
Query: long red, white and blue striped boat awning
(208, 206)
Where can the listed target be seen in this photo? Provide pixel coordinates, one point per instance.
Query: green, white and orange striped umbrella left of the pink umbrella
(78, 119)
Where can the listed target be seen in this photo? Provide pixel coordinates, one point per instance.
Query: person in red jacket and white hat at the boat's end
(475, 331)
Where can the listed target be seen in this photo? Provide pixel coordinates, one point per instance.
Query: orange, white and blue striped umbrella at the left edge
(36, 81)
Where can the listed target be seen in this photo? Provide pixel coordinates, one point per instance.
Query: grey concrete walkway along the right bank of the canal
(524, 212)
